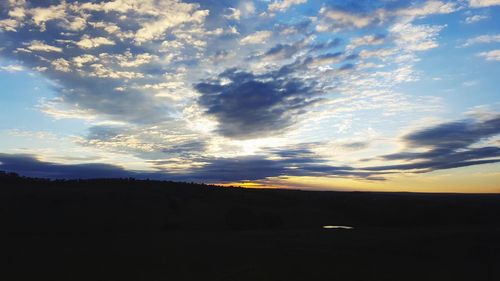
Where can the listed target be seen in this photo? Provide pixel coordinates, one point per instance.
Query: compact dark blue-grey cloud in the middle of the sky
(255, 105)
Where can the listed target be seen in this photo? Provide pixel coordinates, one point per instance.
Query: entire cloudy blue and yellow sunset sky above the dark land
(322, 95)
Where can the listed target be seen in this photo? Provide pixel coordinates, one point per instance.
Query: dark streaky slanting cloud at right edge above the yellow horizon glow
(449, 145)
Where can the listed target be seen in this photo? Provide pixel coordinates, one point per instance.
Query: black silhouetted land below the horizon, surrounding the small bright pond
(146, 230)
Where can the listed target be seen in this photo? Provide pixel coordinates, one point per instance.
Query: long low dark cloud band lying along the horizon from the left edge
(293, 163)
